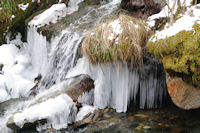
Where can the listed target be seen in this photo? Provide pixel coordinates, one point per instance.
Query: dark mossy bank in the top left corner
(14, 20)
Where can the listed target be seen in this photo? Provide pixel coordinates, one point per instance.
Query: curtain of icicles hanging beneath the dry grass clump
(116, 85)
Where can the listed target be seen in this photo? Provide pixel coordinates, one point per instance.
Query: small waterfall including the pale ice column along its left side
(55, 59)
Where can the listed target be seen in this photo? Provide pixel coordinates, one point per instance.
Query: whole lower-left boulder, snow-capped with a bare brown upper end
(73, 87)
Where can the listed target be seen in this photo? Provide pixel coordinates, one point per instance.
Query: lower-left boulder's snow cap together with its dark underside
(58, 110)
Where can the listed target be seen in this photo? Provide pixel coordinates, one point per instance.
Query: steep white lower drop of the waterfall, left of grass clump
(61, 59)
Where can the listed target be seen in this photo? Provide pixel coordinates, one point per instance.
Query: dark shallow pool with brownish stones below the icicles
(169, 119)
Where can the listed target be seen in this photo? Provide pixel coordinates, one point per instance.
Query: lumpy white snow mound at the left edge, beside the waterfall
(17, 77)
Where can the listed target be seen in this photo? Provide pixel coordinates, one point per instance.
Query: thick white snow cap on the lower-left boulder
(58, 111)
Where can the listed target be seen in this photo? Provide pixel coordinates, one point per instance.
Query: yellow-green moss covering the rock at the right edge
(180, 53)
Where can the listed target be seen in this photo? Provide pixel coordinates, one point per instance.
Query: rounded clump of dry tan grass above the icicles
(127, 46)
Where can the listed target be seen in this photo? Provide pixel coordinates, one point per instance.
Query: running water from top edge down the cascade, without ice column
(64, 48)
